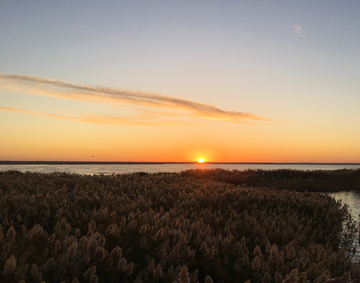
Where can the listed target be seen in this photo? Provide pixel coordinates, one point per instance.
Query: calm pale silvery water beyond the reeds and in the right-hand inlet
(352, 198)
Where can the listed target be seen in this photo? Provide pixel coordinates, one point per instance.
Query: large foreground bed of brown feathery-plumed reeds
(64, 227)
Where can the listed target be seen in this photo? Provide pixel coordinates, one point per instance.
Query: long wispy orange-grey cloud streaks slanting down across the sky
(86, 93)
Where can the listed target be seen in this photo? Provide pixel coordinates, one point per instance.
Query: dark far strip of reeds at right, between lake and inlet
(299, 180)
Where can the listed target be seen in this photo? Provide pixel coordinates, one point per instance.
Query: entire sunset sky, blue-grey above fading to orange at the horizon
(176, 81)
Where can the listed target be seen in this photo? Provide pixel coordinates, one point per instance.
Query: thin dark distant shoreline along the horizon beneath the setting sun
(160, 163)
